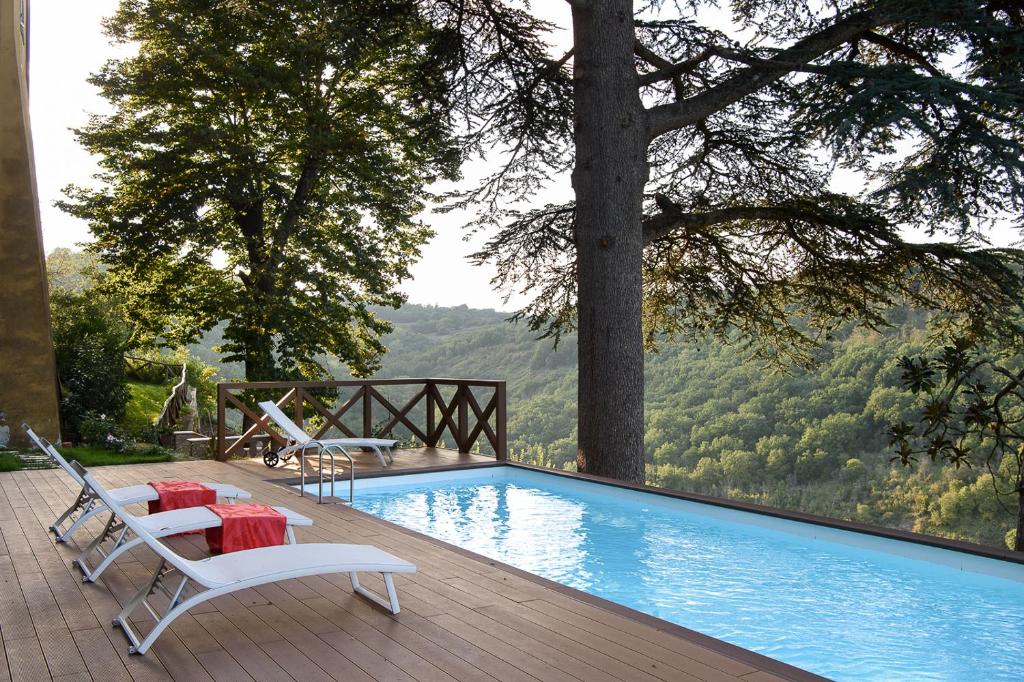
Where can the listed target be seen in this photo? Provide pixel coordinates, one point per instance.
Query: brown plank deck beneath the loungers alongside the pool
(463, 618)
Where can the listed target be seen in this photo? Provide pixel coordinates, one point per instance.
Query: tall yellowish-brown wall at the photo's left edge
(28, 376)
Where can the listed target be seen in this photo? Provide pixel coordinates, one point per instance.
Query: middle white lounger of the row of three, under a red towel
(159, 526)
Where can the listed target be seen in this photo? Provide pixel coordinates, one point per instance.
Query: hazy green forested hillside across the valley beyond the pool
(812, 440)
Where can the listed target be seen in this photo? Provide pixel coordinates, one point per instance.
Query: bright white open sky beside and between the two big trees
(67, 46)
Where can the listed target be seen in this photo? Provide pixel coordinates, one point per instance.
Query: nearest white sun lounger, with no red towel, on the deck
(188, 583)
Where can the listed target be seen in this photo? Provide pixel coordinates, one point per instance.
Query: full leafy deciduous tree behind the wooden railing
(263, 166)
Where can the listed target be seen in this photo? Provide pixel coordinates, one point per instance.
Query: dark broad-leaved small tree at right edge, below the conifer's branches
(973, 416)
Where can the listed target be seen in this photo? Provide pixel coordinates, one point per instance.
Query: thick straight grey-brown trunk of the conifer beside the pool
(609, 180)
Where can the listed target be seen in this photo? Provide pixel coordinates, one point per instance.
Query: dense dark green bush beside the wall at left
(90, 343)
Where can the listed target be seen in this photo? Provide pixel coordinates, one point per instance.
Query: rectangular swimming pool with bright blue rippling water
(843, 605)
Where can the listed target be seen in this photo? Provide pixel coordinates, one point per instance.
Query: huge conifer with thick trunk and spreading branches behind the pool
(704, 164)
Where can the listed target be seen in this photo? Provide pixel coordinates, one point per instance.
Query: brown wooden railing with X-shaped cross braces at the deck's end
(428, 415)
